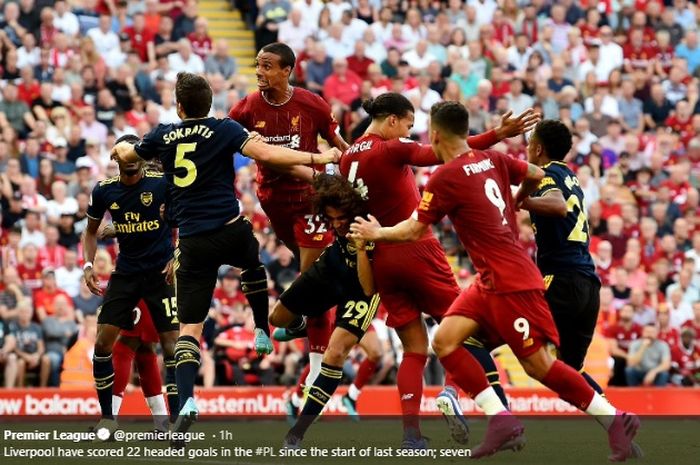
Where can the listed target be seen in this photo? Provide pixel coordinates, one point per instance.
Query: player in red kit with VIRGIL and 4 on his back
(411, 278)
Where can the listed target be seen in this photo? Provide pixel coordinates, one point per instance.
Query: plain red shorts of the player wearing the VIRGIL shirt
(413, 278)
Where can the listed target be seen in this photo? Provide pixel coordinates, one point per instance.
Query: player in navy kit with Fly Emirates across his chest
(133, 200)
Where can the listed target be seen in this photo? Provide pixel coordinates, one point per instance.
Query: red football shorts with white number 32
(293, 220)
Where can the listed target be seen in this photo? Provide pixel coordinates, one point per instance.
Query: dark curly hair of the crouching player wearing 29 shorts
(335, 191)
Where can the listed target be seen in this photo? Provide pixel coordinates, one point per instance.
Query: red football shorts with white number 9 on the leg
(520, 319)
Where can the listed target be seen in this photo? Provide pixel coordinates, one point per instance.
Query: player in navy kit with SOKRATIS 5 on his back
(196, 155)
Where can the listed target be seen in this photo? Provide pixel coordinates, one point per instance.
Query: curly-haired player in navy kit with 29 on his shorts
(341, 277)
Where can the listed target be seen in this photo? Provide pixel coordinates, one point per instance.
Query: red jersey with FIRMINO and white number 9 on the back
(474, 192)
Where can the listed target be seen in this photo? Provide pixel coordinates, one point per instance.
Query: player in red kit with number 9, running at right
(506, 303)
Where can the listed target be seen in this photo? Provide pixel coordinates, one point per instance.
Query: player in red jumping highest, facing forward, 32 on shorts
(295, 118)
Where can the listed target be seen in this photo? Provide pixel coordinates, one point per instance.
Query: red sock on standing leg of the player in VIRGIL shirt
(409, 380)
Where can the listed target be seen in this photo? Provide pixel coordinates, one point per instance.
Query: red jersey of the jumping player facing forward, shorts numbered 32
(296, 124)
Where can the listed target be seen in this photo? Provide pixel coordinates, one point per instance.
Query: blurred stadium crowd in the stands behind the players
(622, 74)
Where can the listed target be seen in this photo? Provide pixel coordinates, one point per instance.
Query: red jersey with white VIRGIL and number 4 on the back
(381, 170)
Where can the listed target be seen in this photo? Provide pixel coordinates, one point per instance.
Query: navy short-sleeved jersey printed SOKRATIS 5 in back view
(197, 158)
